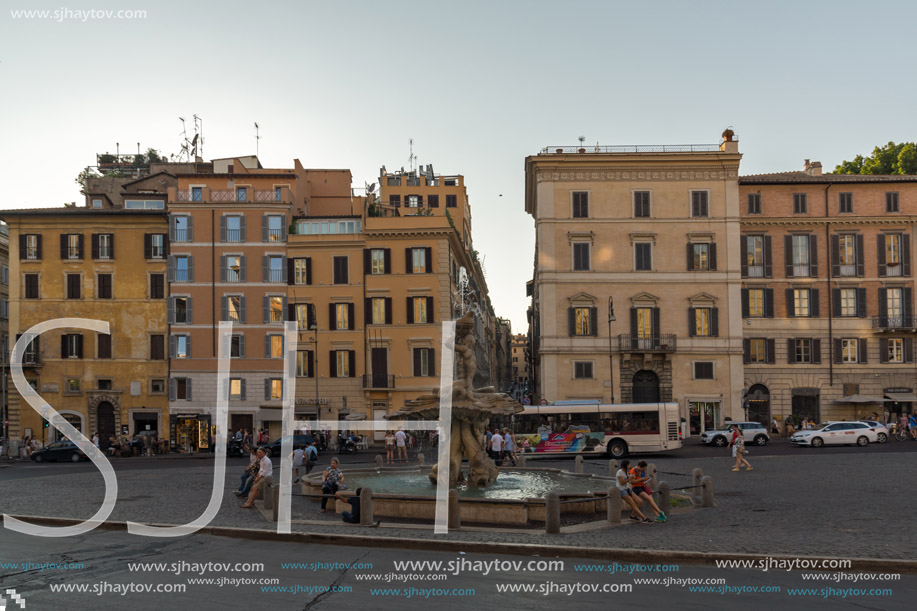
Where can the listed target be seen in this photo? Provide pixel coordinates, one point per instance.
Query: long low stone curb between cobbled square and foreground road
(640, 556)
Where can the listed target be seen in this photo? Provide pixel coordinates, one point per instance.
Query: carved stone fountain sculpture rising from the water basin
(472, 410)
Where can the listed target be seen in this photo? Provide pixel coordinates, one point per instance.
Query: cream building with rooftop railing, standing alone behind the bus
(653, 231)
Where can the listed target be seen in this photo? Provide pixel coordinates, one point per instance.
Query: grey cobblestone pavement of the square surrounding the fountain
(810, 504)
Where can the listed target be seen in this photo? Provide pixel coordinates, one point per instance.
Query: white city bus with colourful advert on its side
(591, 428)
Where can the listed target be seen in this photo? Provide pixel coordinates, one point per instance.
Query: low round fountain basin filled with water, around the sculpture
(516, 499)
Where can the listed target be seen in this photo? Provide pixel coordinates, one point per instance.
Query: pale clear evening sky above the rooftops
(477, 85)
